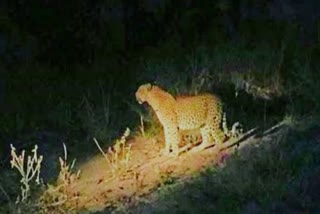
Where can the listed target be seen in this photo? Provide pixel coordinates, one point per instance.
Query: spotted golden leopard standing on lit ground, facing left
(190, 112)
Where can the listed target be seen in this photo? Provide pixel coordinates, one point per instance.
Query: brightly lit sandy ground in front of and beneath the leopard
(99, 187)
